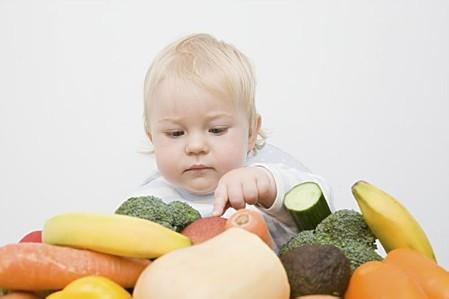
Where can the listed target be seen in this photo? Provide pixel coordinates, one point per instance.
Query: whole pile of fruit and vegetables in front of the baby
(148, 249)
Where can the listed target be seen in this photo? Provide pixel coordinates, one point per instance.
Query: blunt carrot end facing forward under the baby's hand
(251, 221)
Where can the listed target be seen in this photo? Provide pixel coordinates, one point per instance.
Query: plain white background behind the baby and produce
(353, 89)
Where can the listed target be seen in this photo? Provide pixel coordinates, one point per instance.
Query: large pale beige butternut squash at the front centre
(234, 264)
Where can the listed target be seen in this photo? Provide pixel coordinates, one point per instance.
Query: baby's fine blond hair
(209, 63)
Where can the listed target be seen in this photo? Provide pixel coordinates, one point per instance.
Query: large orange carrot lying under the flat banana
(40, 266)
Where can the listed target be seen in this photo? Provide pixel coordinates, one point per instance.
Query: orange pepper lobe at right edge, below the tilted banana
(433, 279)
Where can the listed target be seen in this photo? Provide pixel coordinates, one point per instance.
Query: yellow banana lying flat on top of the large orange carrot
(114, 234)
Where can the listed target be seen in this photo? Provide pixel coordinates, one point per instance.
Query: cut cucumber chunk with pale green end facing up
(307, 205)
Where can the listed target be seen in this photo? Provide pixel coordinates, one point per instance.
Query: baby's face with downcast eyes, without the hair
(197, 135)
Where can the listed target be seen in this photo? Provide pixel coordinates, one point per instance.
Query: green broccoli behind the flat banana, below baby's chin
(174, 216)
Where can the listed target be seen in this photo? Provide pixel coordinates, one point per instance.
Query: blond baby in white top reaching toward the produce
(201, 119)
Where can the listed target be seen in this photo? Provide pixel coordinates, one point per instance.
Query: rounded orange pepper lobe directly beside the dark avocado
(374, 280)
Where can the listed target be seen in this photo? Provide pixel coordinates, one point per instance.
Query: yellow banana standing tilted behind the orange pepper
(389, 220)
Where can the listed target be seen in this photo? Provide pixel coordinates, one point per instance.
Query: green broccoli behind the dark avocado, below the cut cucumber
(344, 229)
